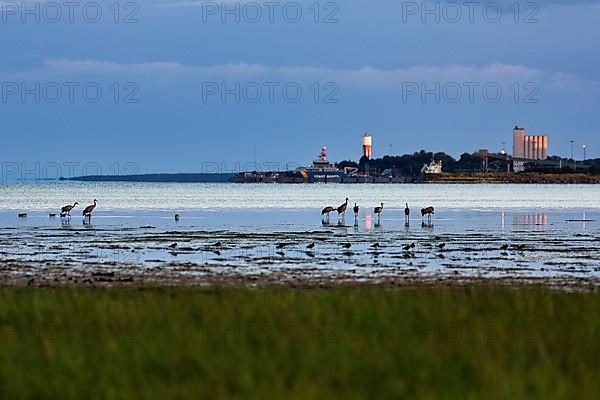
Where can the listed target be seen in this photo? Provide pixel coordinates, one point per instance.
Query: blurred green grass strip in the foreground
(351, 342)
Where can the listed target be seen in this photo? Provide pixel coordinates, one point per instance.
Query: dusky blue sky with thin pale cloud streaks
(191, 86)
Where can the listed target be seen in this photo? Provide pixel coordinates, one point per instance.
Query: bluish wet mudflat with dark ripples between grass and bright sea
(276, 247)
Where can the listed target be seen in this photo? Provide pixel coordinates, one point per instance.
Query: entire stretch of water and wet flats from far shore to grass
(265, 234)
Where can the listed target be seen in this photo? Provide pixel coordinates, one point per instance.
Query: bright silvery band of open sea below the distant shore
(174, 196)
